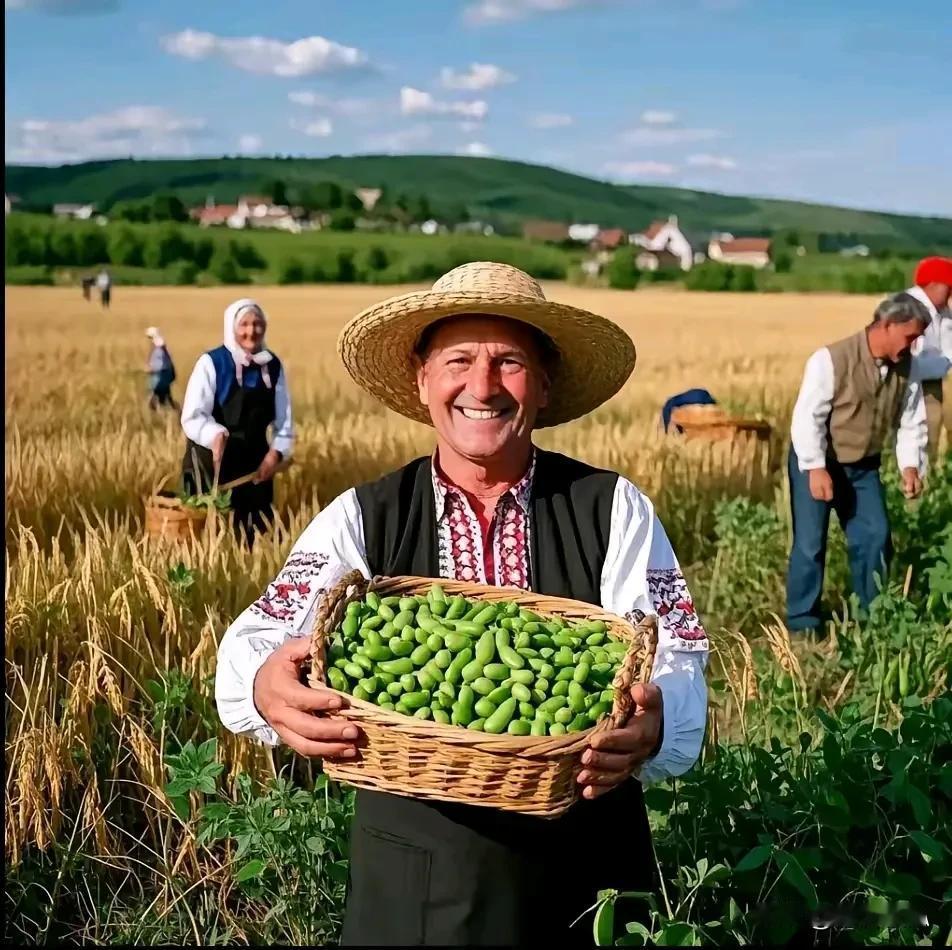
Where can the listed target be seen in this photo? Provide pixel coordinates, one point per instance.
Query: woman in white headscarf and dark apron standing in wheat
(235, 393)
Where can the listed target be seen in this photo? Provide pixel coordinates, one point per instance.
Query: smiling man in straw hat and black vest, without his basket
(485, 360)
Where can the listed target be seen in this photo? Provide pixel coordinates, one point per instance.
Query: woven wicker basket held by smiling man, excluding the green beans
(534, 775)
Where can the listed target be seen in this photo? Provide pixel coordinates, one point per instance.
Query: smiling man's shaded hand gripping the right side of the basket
(615, 754)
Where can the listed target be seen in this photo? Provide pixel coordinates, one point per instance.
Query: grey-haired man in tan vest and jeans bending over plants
(854, 394)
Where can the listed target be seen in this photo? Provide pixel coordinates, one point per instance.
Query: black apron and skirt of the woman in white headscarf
(246, 412)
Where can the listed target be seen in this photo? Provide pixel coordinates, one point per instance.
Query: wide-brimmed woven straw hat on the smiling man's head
(596, 355)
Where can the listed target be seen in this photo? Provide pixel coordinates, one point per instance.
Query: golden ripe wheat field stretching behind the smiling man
(91, 613)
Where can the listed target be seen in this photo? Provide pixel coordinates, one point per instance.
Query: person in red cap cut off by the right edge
(932, 352)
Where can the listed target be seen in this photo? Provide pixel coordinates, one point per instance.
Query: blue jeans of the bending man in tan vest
(860, 506)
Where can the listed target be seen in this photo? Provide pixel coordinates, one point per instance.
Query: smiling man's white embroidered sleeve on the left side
(330, 546)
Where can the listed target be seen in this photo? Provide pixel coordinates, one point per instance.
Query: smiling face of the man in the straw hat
(483, 382)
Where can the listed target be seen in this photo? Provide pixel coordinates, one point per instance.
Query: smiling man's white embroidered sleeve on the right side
(642, 576)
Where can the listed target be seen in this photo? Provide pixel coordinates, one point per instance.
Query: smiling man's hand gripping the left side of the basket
(289, 706)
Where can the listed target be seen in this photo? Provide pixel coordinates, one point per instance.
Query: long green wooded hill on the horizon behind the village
(505, 192)
